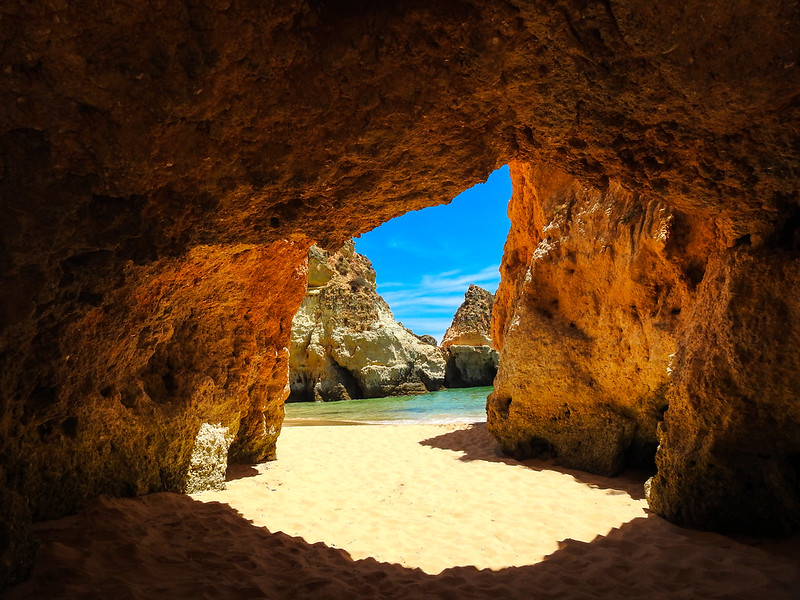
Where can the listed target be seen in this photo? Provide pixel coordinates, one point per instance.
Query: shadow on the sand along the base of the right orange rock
(476, 443)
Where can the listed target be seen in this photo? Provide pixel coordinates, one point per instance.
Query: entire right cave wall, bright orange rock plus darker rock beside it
(625, 324)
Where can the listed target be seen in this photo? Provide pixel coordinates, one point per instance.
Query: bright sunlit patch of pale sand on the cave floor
(390, 493)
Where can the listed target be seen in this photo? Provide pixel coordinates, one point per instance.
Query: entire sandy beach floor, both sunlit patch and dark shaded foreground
(413, 511)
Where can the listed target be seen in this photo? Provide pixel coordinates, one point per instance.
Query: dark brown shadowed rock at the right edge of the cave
(730, 440)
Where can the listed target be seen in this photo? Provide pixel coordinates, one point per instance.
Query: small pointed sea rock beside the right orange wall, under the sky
(467, 343)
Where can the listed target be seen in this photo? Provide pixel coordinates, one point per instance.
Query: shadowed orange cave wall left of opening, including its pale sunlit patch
(124, 381)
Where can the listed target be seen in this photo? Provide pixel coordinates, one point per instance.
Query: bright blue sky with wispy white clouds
(426, 259)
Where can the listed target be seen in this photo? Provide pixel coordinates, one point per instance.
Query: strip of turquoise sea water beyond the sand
(464, 405)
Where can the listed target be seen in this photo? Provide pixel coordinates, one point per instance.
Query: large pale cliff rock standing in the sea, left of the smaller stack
(345, 341)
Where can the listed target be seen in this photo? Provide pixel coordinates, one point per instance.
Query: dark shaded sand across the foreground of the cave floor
(171, 546)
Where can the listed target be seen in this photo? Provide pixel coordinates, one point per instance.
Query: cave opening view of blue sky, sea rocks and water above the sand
(404, 309)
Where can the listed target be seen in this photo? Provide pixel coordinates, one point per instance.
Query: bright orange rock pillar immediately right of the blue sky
(593, 292)
